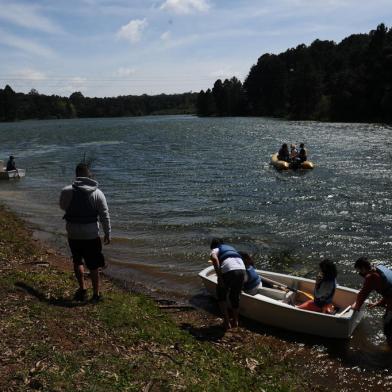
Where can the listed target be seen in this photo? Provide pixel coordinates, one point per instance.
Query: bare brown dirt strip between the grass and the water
(319, 370)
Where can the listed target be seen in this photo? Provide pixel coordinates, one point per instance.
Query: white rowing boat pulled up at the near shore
(274, 307)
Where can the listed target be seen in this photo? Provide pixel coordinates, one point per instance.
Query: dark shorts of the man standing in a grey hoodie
(88, 250)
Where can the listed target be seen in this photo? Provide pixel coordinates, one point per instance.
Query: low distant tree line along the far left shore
(20, 106)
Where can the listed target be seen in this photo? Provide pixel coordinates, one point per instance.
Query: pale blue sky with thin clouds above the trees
(118, 47)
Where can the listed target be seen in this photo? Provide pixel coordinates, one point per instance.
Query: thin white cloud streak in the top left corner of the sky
(26, 16)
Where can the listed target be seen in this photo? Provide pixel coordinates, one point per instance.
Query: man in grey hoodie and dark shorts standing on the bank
(83, 204)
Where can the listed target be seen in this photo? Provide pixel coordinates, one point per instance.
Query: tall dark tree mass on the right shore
(350, 81)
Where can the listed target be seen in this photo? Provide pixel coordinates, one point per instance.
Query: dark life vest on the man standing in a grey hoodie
(81, 210)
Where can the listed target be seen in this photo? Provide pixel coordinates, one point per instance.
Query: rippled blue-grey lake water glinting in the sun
(174, 182)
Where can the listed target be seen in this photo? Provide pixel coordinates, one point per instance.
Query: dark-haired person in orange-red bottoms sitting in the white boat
(324, 289)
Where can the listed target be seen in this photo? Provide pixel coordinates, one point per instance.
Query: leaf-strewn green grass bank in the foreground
(126, 343)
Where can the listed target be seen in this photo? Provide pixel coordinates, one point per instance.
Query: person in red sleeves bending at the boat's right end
(377, 279)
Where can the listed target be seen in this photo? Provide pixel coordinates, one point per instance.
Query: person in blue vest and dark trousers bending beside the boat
(230, 270)
